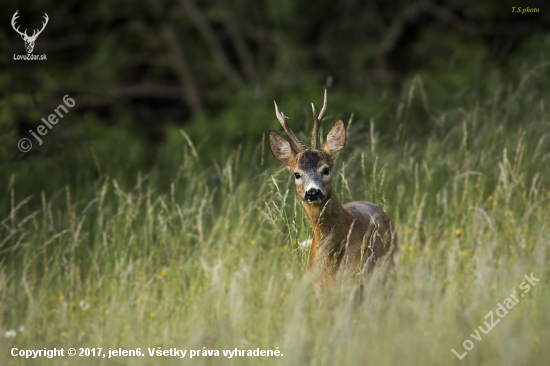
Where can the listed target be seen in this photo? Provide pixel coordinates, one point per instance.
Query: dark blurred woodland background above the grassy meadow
(141, 72)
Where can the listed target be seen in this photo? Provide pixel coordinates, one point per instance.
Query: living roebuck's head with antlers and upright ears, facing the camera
(311, 167)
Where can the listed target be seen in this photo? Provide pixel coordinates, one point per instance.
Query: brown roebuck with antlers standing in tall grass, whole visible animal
(347, 239)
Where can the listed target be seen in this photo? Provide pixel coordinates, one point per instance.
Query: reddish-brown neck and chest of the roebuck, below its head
(330, 222)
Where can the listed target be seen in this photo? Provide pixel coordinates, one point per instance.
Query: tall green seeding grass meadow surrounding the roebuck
(214, 258)
